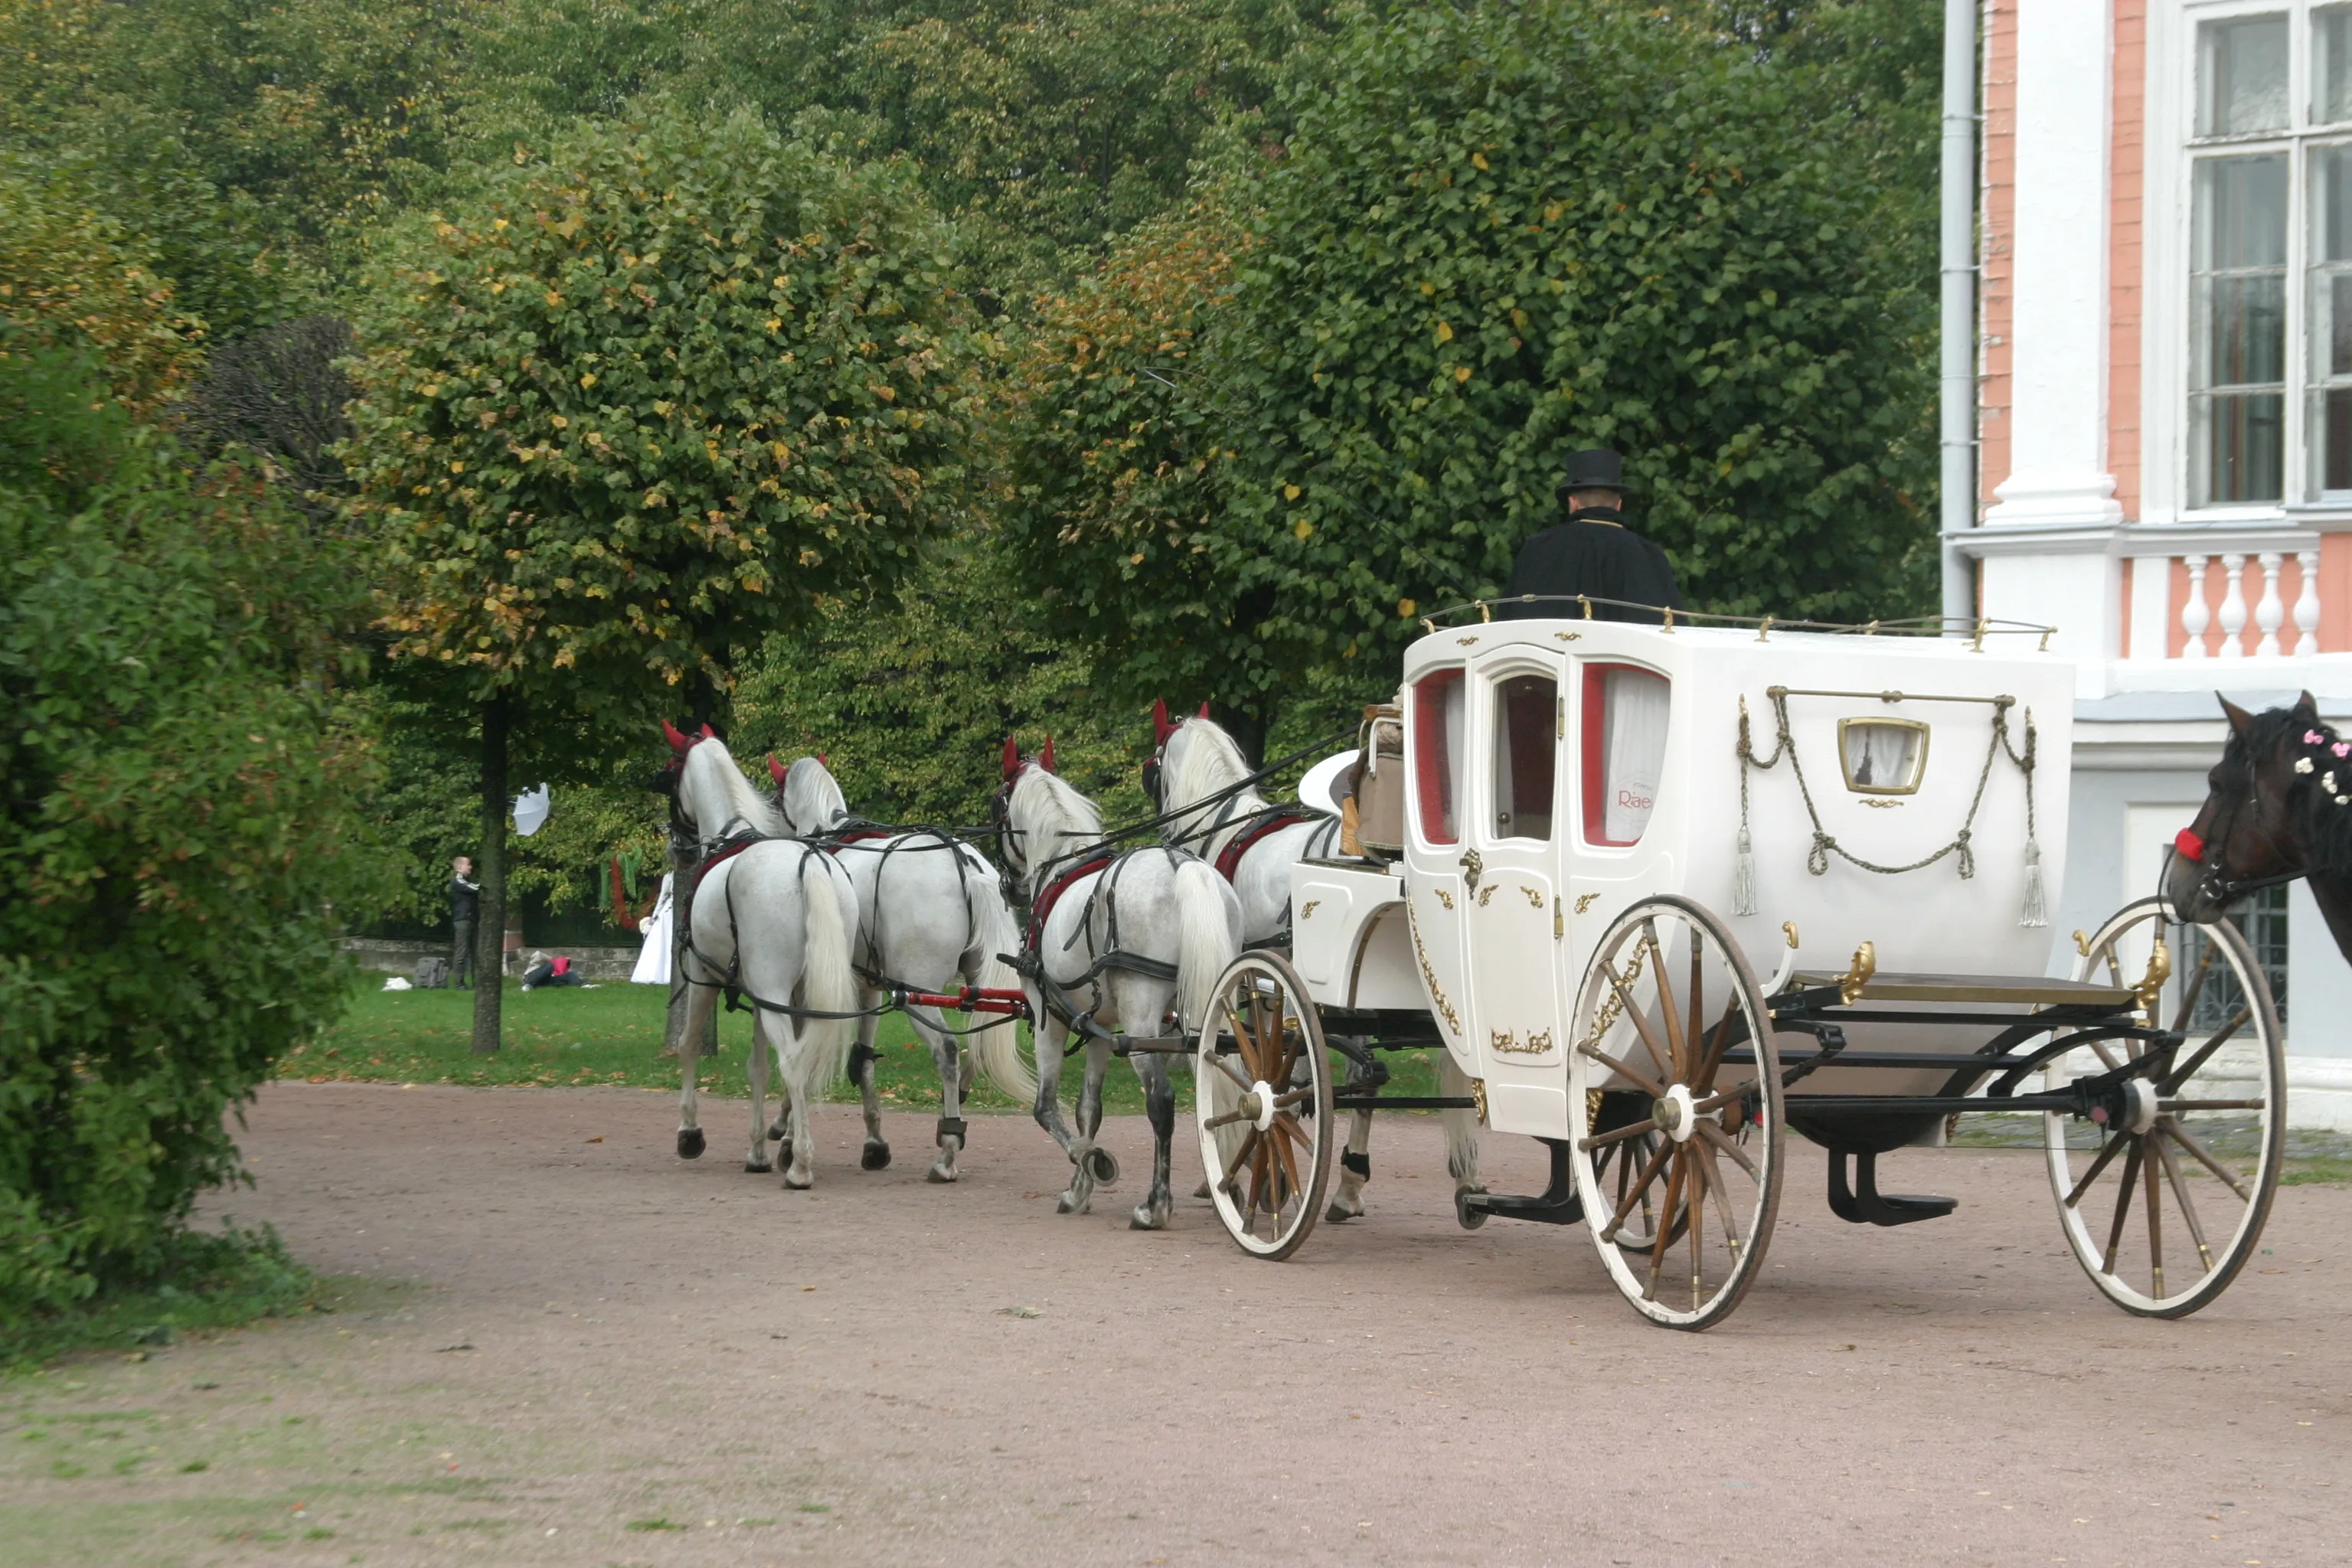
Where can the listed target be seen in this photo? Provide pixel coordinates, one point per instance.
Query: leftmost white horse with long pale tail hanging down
(775, 920)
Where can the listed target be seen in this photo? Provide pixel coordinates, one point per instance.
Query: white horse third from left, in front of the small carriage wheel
(1135, 949)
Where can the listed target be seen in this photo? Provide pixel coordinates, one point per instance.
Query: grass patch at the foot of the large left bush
(199, 1282)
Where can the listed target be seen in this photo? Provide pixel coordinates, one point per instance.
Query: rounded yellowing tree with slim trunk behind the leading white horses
(629, 410)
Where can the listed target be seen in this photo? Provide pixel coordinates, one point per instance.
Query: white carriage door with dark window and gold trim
(1514, 916)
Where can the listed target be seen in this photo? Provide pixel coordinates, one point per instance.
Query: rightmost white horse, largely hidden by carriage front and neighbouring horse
(1196, 782)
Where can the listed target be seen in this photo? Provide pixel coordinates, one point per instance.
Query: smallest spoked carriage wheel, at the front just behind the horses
(1264, 1106)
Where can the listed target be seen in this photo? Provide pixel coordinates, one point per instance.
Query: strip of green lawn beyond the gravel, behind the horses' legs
(613, 1036)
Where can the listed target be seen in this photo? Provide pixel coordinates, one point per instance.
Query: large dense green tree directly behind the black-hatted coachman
(1509, 232)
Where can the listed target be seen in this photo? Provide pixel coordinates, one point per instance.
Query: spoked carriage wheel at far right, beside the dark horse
(2165, 1191)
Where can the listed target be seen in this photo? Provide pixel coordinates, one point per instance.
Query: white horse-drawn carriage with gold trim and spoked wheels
(1664, 894)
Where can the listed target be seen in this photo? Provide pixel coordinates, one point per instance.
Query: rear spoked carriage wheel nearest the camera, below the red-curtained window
(1676, 1113)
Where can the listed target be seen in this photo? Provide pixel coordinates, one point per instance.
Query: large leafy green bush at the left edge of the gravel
(175, 829)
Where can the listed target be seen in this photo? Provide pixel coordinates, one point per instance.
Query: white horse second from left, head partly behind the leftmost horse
(930, 918)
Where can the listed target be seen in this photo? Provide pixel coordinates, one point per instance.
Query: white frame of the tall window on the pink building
(2172, 152)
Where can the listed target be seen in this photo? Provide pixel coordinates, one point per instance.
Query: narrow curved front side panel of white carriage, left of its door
(1436, 850)
